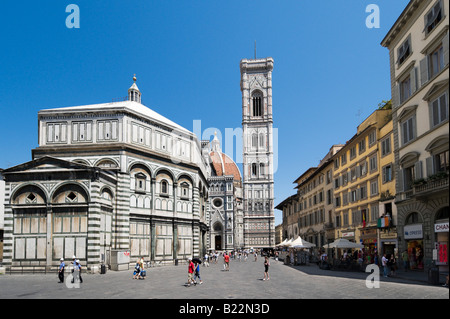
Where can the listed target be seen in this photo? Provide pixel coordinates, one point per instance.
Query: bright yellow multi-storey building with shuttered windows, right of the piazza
(358, 170)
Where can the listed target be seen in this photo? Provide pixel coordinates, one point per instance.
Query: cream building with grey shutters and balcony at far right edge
(419, 68)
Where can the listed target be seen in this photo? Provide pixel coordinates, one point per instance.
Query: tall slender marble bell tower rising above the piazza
(257, 126)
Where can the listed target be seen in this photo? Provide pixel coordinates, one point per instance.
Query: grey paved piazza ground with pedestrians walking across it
(243, 281)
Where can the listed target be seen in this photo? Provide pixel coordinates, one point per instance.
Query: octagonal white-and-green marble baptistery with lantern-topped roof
(106, 178)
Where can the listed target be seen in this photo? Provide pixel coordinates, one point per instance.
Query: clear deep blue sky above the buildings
(330, 70)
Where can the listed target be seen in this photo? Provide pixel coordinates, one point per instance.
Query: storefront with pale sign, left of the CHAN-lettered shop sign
(413, 235)
